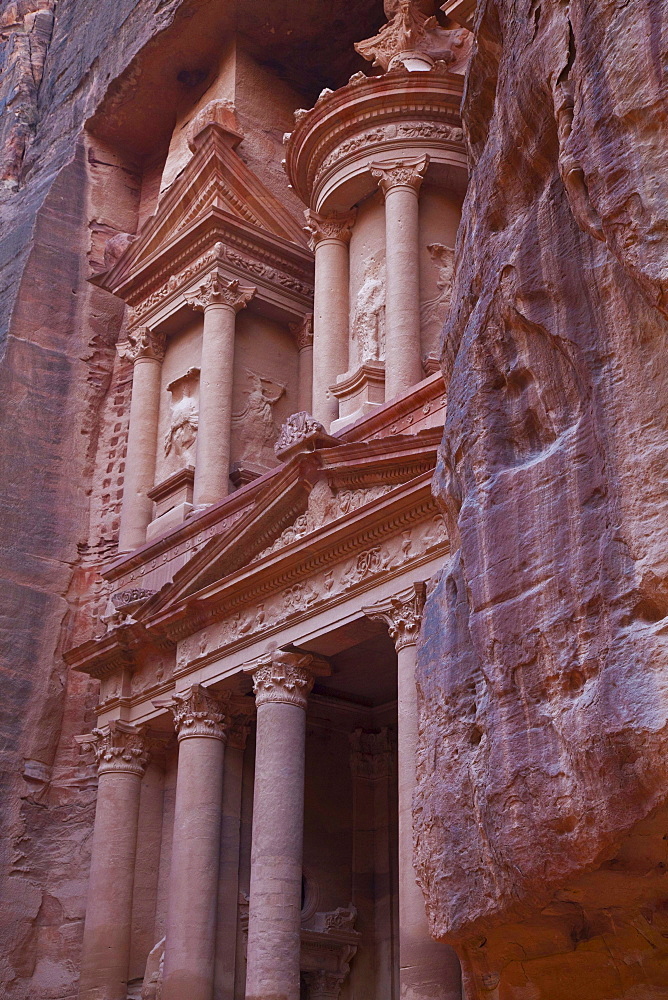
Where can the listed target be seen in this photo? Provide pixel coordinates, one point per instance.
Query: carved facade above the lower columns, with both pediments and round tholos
(284, 304)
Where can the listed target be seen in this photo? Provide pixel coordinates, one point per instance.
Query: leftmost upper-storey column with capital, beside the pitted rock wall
(146, 350)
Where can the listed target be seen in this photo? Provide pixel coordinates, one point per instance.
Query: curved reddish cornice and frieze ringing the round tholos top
(368, 105)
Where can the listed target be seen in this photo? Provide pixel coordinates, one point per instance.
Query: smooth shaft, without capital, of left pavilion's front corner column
(212, 465)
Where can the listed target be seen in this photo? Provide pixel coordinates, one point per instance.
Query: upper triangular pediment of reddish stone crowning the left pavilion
(215, 178)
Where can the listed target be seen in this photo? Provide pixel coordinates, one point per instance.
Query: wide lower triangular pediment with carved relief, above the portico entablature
(307, 494)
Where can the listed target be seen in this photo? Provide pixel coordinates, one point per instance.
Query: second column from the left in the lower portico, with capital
(201, 724)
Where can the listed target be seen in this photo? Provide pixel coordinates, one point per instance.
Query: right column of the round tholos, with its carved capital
(400, 182)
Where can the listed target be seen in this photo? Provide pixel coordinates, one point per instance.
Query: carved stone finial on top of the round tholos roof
(413, 38)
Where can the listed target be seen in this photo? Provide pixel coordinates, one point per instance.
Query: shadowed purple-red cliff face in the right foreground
(540, 814)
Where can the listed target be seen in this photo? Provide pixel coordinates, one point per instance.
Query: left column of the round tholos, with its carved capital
(330, 236)
